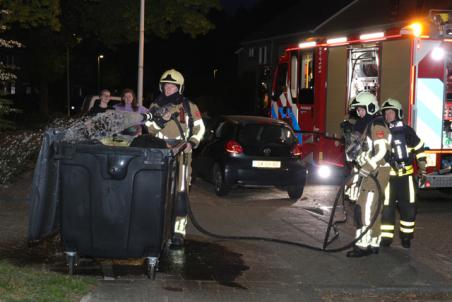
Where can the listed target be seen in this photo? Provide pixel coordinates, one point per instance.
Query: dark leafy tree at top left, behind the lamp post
(48, 27)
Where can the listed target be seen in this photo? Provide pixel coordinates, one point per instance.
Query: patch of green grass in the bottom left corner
(19, 283)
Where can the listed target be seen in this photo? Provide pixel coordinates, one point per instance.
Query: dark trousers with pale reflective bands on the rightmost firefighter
(400, 194)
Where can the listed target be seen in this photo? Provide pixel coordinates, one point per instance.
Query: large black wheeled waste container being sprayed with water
(111, 202)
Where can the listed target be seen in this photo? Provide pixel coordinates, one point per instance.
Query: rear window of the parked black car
(265, 134)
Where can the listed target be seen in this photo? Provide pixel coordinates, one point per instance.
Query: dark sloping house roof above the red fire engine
(357, 15)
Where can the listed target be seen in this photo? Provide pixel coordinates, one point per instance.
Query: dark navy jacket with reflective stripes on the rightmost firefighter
(406, 147)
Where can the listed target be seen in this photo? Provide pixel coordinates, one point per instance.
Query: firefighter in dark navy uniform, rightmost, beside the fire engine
(406, 147)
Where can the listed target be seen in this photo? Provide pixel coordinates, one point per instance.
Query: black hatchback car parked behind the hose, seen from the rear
(251, 151)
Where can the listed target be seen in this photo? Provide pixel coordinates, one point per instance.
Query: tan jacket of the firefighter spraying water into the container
(186, 122)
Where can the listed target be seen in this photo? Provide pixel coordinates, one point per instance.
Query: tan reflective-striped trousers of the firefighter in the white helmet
(366, 207)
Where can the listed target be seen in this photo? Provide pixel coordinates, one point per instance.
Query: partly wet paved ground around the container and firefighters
(209, 269)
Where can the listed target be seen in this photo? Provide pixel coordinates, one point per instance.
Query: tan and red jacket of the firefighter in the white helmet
(375, 141)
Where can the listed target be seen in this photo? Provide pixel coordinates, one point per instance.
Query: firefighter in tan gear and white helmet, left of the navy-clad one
(371, 161)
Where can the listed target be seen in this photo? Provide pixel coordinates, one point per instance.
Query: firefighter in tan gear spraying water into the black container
(175, 117)
